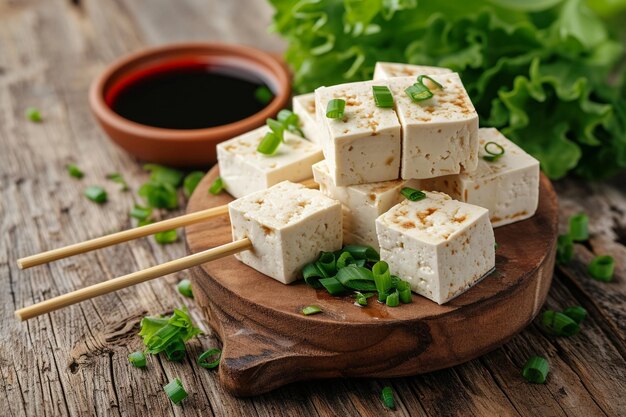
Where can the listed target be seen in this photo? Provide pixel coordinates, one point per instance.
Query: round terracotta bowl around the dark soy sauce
(185, 148)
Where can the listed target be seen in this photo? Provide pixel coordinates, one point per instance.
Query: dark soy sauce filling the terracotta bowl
(187, 96)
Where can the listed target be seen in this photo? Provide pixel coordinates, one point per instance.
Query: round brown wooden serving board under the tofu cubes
(269, 343)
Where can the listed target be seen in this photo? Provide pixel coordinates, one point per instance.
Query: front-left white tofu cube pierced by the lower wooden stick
(288, 225)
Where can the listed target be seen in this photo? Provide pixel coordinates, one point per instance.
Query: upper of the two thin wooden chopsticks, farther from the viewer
(126, 235)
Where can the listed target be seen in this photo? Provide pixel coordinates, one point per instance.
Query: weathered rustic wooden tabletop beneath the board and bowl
(73, 362)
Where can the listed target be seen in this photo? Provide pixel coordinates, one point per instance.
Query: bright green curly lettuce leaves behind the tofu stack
(545, 72)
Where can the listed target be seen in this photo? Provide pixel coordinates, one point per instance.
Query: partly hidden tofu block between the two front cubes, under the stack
(362, 204)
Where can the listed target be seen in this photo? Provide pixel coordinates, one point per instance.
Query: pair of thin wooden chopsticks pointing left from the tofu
(134, 278)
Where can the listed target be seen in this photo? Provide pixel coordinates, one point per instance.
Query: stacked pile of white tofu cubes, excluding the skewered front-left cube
(442, 244)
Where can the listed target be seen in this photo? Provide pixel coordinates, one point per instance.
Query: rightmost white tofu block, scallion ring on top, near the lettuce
(507, 187)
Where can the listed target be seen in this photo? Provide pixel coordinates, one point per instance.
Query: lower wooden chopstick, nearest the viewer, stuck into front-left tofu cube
(132, 279)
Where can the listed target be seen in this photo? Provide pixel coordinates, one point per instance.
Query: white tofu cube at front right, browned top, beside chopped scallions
(439, 245)
